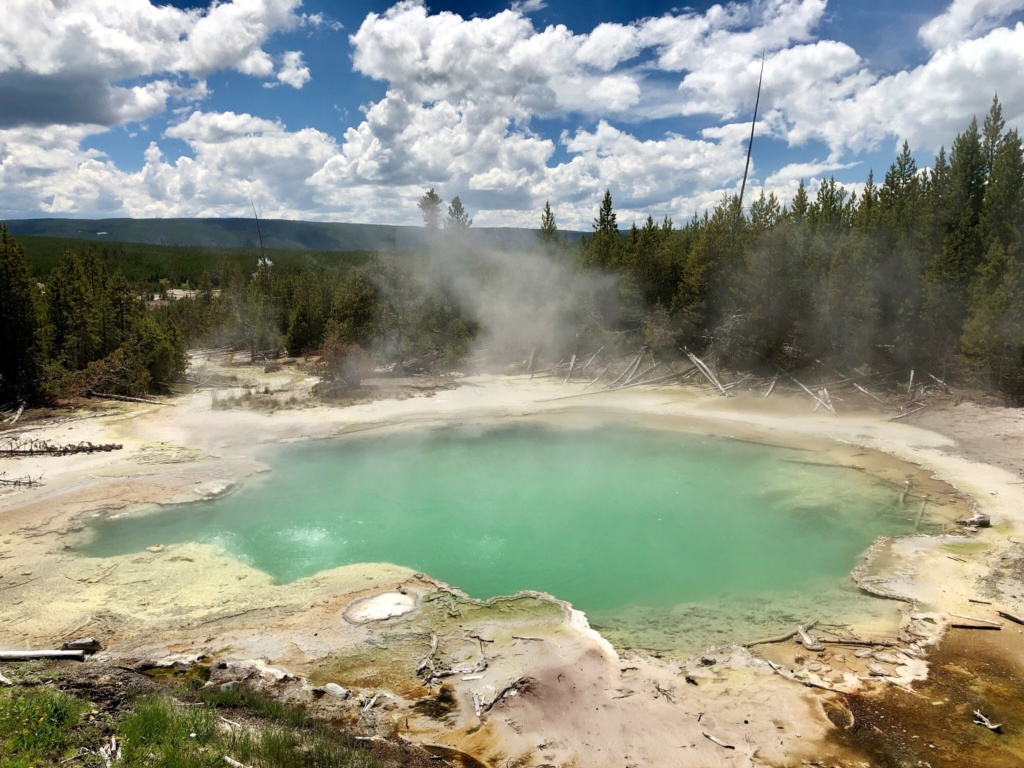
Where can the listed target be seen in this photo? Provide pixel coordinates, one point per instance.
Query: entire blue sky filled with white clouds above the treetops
(350, 111)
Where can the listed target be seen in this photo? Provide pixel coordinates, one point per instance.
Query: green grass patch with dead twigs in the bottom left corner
(179, 729)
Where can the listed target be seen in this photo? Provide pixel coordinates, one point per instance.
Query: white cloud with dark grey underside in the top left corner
(66, 63)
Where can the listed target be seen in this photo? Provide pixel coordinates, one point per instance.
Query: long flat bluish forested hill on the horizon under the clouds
(278, 234)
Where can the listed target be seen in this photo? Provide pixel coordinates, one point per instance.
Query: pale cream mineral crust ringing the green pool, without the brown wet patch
(584, 705)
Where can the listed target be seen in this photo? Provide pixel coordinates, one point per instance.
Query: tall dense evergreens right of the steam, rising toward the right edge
(921, 271)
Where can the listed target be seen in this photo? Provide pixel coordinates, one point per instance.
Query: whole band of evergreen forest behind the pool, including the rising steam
(921, 270)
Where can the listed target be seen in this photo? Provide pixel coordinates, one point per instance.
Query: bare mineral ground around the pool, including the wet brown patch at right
(552, 692)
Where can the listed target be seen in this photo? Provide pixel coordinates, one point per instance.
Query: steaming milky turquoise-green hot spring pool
(666, 541)
